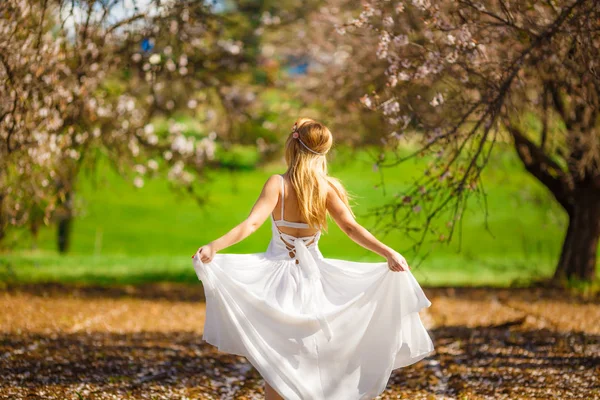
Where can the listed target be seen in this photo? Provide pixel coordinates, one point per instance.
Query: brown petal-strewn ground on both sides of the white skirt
(128, 342)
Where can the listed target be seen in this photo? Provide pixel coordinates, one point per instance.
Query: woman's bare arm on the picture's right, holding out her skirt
(345, 220)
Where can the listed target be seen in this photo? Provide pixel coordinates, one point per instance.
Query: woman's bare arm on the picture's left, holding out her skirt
(260, 212)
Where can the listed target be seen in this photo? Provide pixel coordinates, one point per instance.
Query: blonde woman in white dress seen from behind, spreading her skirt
(314, 328)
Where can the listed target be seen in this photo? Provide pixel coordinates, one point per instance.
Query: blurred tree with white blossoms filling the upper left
(80, 80)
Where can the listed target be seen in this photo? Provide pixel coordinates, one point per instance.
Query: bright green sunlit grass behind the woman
(129, 235)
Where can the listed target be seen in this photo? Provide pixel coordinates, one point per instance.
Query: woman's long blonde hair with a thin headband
(305, 151)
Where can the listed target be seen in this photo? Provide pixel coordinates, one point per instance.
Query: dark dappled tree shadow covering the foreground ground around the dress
(492, 362)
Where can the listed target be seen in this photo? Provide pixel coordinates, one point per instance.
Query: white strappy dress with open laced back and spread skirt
(314, 328)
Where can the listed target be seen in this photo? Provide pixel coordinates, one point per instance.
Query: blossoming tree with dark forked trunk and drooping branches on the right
(462, 75)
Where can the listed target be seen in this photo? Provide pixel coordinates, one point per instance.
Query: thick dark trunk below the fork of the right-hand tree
(579, 251)
